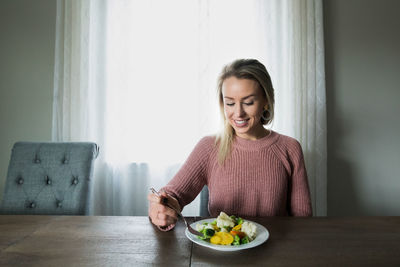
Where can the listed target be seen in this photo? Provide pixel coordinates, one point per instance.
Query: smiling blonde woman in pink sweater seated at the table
(249, 170)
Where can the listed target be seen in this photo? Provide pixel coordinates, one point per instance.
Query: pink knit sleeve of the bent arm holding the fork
(191, 178)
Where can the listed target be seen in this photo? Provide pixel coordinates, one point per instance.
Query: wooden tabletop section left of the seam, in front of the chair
(90, 241)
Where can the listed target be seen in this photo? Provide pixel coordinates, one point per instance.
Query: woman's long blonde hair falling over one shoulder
(250, 69)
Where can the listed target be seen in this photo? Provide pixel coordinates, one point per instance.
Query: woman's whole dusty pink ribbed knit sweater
(265, 177)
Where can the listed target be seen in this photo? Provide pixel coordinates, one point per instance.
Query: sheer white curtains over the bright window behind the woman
(139, 79)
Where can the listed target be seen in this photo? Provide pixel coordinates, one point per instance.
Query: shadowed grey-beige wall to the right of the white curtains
(362, 43)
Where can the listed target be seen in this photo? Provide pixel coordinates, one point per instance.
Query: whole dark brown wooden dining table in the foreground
(133, 241)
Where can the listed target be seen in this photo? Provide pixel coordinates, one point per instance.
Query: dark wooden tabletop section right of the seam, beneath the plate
(318, 241)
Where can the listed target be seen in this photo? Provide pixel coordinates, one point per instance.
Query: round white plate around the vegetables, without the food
(261, 237)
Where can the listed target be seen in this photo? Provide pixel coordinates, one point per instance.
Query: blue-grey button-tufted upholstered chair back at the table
(49, 178)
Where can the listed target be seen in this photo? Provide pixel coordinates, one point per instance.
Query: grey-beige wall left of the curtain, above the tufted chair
(27, 34)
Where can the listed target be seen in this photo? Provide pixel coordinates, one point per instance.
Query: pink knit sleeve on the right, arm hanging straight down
(299, 194)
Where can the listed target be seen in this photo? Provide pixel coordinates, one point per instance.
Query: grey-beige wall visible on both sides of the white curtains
(363, 77)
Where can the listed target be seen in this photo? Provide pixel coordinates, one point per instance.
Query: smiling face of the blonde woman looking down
(244, 102)
